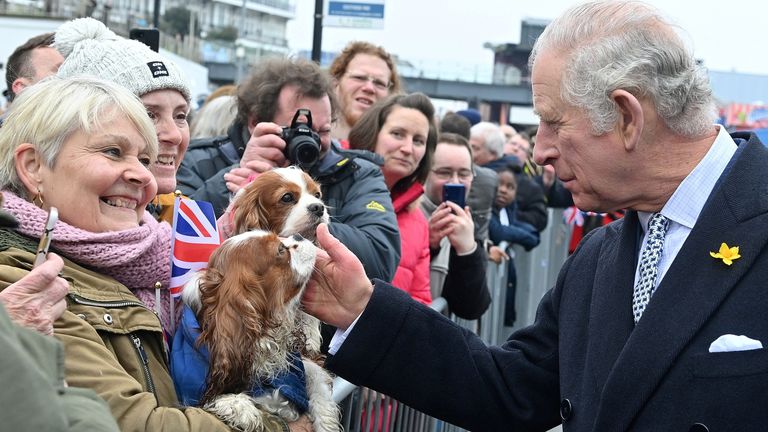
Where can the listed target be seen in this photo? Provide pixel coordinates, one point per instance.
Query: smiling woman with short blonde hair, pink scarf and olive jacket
(84, 146)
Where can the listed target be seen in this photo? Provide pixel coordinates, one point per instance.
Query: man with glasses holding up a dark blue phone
(457, 265)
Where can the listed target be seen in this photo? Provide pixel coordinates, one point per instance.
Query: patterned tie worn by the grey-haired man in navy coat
(649, 264)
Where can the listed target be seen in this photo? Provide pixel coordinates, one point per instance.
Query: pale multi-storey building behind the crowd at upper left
(228, 36)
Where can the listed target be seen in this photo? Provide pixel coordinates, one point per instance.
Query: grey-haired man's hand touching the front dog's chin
(339, 289)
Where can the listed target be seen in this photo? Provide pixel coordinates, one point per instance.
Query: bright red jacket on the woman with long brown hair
(412, 275)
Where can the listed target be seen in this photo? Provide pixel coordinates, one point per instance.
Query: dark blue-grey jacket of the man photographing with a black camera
(362, 216)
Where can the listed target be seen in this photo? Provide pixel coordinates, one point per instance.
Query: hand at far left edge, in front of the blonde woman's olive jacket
(37, 299)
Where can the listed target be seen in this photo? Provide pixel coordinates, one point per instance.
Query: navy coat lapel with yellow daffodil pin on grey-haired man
(692, 289)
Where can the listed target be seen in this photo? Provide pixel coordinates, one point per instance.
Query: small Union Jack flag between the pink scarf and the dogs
(195, 237)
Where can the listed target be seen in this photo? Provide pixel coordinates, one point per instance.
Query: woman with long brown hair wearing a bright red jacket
(402, 131)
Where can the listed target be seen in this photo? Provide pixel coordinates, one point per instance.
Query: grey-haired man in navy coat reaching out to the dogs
(657, 322)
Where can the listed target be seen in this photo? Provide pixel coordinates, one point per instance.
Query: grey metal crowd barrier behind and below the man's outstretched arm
(365, 410)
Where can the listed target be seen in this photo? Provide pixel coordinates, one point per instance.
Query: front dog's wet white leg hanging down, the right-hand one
(323, 411)
